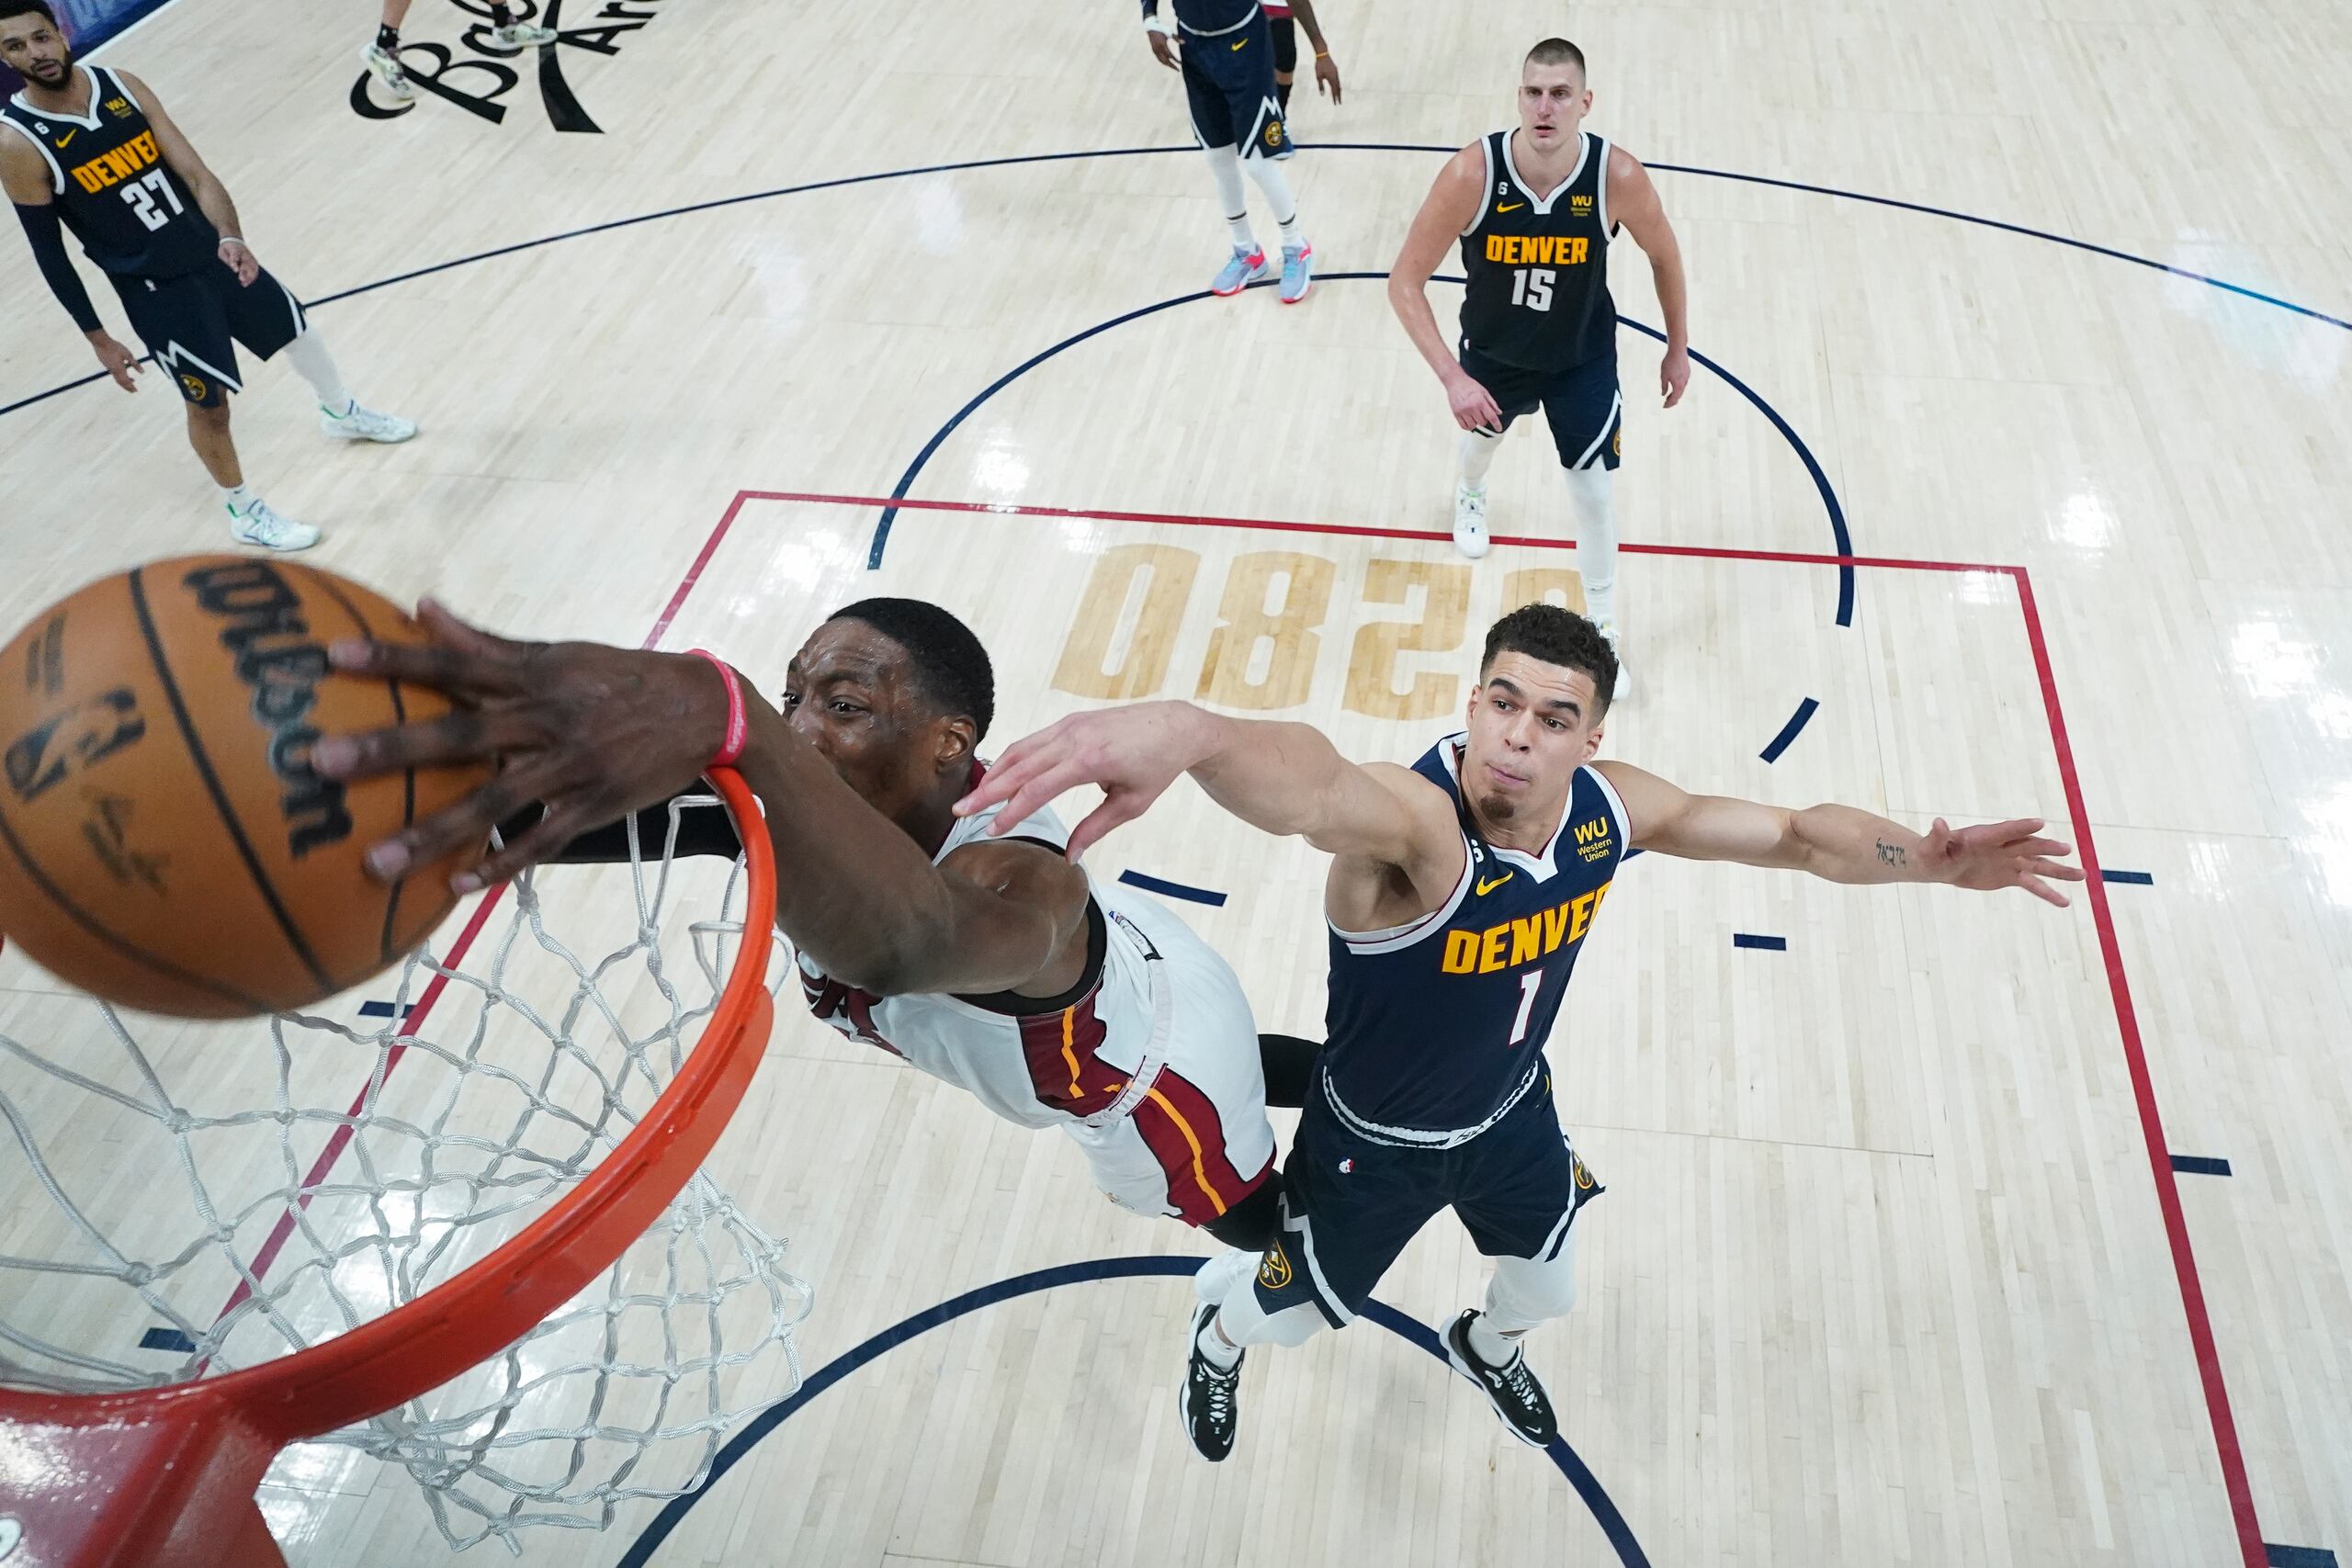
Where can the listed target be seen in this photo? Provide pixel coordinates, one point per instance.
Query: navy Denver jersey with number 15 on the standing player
(1537, 264)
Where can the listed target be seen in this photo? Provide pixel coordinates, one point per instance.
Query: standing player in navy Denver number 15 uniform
(1535, 213)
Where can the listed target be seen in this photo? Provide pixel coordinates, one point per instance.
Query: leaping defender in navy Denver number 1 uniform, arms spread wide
(1459, 897)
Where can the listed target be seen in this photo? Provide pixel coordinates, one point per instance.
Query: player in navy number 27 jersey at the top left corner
(91, 149)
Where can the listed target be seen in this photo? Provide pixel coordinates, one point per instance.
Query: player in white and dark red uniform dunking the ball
(991, 963)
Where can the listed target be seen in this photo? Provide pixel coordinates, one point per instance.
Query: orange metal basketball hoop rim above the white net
(493, 1304)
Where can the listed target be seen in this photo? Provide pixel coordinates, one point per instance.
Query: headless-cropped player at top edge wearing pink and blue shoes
(1227, 55)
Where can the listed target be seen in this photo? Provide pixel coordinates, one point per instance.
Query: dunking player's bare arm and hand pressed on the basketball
(596, 732)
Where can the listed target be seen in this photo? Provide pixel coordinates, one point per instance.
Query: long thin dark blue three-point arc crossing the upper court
(1321, 147)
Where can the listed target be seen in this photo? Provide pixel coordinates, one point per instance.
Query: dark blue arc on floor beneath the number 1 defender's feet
(674, 1513)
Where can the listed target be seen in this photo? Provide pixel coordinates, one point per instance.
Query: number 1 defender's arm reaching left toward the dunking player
(1283, 779)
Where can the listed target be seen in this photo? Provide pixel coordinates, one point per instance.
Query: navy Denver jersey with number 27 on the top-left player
(114, 189)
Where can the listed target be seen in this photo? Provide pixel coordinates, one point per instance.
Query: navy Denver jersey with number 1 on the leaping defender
(1436, 1028)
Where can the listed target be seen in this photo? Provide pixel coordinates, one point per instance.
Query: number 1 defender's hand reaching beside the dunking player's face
(1132, 753)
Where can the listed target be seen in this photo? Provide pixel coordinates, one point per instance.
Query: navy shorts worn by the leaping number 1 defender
(1351, 1205)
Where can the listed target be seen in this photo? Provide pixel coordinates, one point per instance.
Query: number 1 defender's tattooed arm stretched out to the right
(1838, 843)
